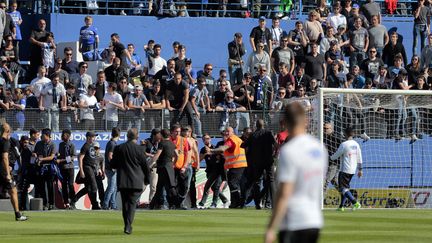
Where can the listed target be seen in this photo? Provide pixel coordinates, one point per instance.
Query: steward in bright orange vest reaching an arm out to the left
(235, 163)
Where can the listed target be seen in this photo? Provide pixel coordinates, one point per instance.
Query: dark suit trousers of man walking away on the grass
(129, 201)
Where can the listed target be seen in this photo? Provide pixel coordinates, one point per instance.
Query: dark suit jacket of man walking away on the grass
(132, 170)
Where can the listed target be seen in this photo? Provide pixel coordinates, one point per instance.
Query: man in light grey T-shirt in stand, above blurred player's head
(282, 54)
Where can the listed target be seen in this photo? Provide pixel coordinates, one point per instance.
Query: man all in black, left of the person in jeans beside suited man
(87, 168)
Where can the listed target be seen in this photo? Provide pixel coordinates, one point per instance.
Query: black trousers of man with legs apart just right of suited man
(165, 181)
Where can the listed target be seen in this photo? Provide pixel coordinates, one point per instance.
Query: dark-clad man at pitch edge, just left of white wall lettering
(44, 152)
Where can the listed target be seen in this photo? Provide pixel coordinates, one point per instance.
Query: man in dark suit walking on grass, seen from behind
(132, 173)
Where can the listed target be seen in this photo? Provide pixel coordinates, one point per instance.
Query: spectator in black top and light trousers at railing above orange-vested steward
(244, 96)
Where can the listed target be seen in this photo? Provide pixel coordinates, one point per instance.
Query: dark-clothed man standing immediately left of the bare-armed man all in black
(65, 160)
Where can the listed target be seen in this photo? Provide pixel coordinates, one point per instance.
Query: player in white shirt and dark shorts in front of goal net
(350, 155)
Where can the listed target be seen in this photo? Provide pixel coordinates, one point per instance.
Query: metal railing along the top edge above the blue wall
(224, 8)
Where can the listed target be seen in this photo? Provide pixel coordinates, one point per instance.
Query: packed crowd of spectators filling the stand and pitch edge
(344, 46)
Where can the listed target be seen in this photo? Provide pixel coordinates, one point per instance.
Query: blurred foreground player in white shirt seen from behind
(297, 210)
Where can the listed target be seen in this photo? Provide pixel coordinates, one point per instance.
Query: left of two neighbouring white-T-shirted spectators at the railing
(87, 103)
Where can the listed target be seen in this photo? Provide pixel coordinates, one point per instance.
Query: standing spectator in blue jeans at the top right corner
(421, 25)
